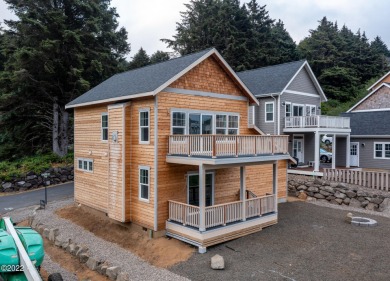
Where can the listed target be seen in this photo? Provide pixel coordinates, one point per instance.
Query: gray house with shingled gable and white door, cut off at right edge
(370, 129)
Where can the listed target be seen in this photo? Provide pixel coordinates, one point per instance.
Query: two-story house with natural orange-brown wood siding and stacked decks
(169, 147)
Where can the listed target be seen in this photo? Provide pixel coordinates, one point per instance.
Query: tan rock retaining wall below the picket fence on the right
(316, 189)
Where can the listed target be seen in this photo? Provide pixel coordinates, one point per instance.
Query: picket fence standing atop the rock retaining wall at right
(372, 179)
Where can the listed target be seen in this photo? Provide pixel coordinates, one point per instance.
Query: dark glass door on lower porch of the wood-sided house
(193, 189)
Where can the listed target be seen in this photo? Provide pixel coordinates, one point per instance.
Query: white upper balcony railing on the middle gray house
(317, 121)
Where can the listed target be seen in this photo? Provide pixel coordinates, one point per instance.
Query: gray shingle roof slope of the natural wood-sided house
(137, 81)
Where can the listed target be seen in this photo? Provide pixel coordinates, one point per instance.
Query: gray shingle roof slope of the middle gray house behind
(270, 79)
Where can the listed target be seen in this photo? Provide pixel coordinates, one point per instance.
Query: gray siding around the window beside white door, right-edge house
(366, 154)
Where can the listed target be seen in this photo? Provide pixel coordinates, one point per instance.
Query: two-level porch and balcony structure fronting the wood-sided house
(205, 225)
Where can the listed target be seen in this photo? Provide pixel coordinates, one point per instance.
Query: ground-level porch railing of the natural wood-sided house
(221, 214)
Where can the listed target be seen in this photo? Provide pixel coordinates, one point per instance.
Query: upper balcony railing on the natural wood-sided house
(226, 145)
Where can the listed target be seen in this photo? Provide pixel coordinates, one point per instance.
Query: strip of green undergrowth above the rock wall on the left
(37, 164)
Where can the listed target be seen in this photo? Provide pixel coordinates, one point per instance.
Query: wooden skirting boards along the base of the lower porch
(218, 239)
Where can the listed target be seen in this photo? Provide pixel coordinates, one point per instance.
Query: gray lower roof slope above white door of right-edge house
(369, 123)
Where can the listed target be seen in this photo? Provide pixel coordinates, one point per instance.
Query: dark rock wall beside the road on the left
(33, 180)
